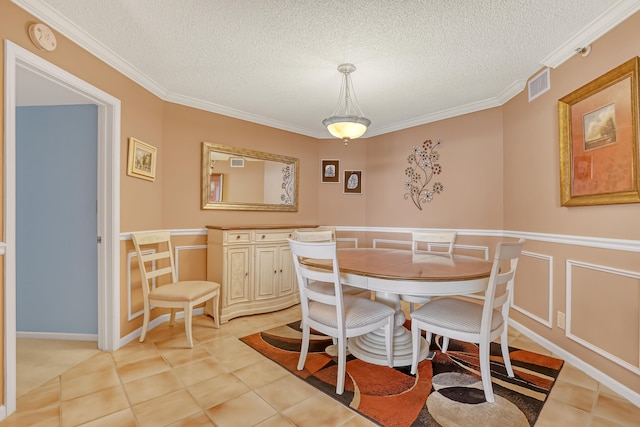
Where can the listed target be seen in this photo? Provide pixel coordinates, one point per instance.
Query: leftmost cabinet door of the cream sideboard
(237, 275)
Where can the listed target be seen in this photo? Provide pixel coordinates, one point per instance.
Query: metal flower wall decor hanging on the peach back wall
(422, 168)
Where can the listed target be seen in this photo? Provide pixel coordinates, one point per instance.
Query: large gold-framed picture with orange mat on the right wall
(598, 127)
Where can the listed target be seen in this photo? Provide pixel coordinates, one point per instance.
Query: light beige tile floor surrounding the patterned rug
(222, 382)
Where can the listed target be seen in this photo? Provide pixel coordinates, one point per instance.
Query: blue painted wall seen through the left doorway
(56, 250)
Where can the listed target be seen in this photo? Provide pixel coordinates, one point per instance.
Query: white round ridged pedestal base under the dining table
(371, 347)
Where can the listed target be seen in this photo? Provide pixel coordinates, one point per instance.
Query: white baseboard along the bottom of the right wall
(599, 376)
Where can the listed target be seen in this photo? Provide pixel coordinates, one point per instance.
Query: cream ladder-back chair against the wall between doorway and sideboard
(175, 294)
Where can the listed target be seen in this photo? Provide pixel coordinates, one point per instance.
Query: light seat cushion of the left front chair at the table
(358, 312)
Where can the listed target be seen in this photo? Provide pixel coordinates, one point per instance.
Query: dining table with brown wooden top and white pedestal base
(393, 272)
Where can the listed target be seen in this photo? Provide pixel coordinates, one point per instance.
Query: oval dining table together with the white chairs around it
(434, 278)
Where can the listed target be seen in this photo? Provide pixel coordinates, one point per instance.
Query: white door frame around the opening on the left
(16, 59)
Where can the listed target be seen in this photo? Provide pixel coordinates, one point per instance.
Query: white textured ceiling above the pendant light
(275, 62)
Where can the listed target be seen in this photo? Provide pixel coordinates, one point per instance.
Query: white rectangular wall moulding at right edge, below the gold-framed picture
(604, 353)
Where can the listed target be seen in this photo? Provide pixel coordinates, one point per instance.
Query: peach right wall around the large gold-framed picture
(590, 283)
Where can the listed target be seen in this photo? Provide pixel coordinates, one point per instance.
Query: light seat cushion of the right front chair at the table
(455, 314)
